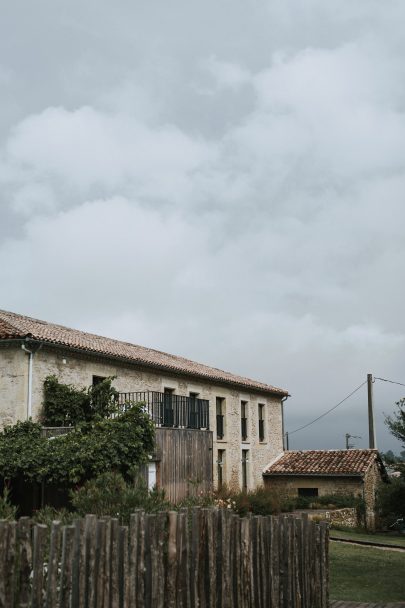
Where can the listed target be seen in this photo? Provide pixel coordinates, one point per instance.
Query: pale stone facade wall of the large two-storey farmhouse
(78, 369)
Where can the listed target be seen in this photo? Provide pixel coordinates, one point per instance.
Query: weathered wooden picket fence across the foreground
(205, 558)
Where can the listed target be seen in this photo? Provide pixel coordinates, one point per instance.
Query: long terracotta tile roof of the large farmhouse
(15, 326)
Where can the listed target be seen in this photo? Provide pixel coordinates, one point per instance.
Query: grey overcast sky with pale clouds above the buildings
(222, 180)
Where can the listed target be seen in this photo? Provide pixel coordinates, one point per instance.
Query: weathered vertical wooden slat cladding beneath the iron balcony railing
(185, 468)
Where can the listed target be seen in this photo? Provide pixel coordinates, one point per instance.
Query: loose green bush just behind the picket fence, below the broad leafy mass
(110, 494)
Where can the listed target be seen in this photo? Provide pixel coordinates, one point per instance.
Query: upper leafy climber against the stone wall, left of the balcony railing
(67, 405)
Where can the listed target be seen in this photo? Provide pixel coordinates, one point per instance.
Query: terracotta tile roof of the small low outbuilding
(324, 462)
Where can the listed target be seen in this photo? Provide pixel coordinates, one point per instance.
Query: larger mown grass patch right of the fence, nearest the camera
(365, 574)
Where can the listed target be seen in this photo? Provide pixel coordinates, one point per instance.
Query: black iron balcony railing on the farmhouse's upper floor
(169, 410)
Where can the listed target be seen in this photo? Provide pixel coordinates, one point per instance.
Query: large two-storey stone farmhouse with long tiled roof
(243, 416)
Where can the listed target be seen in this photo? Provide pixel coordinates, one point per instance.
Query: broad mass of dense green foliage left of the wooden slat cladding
(89, 450)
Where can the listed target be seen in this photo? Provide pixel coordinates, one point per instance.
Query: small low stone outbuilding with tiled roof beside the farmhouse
(321, 472)
